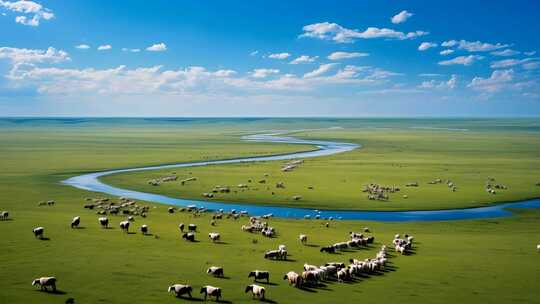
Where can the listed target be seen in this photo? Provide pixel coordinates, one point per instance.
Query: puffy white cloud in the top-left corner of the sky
(32, 11)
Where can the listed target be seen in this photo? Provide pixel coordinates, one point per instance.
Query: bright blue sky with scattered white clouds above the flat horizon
(270, 58)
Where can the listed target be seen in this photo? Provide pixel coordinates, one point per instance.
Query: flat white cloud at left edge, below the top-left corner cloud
(31, 56)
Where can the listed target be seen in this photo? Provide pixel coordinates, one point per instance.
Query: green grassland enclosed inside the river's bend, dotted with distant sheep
(387, 157)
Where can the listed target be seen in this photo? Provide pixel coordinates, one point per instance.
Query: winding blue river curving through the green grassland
(91, 182)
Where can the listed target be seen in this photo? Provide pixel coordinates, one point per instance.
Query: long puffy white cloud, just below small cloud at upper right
(339, 34)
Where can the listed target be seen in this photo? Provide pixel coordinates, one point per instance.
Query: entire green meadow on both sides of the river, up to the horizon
(476, 261)
